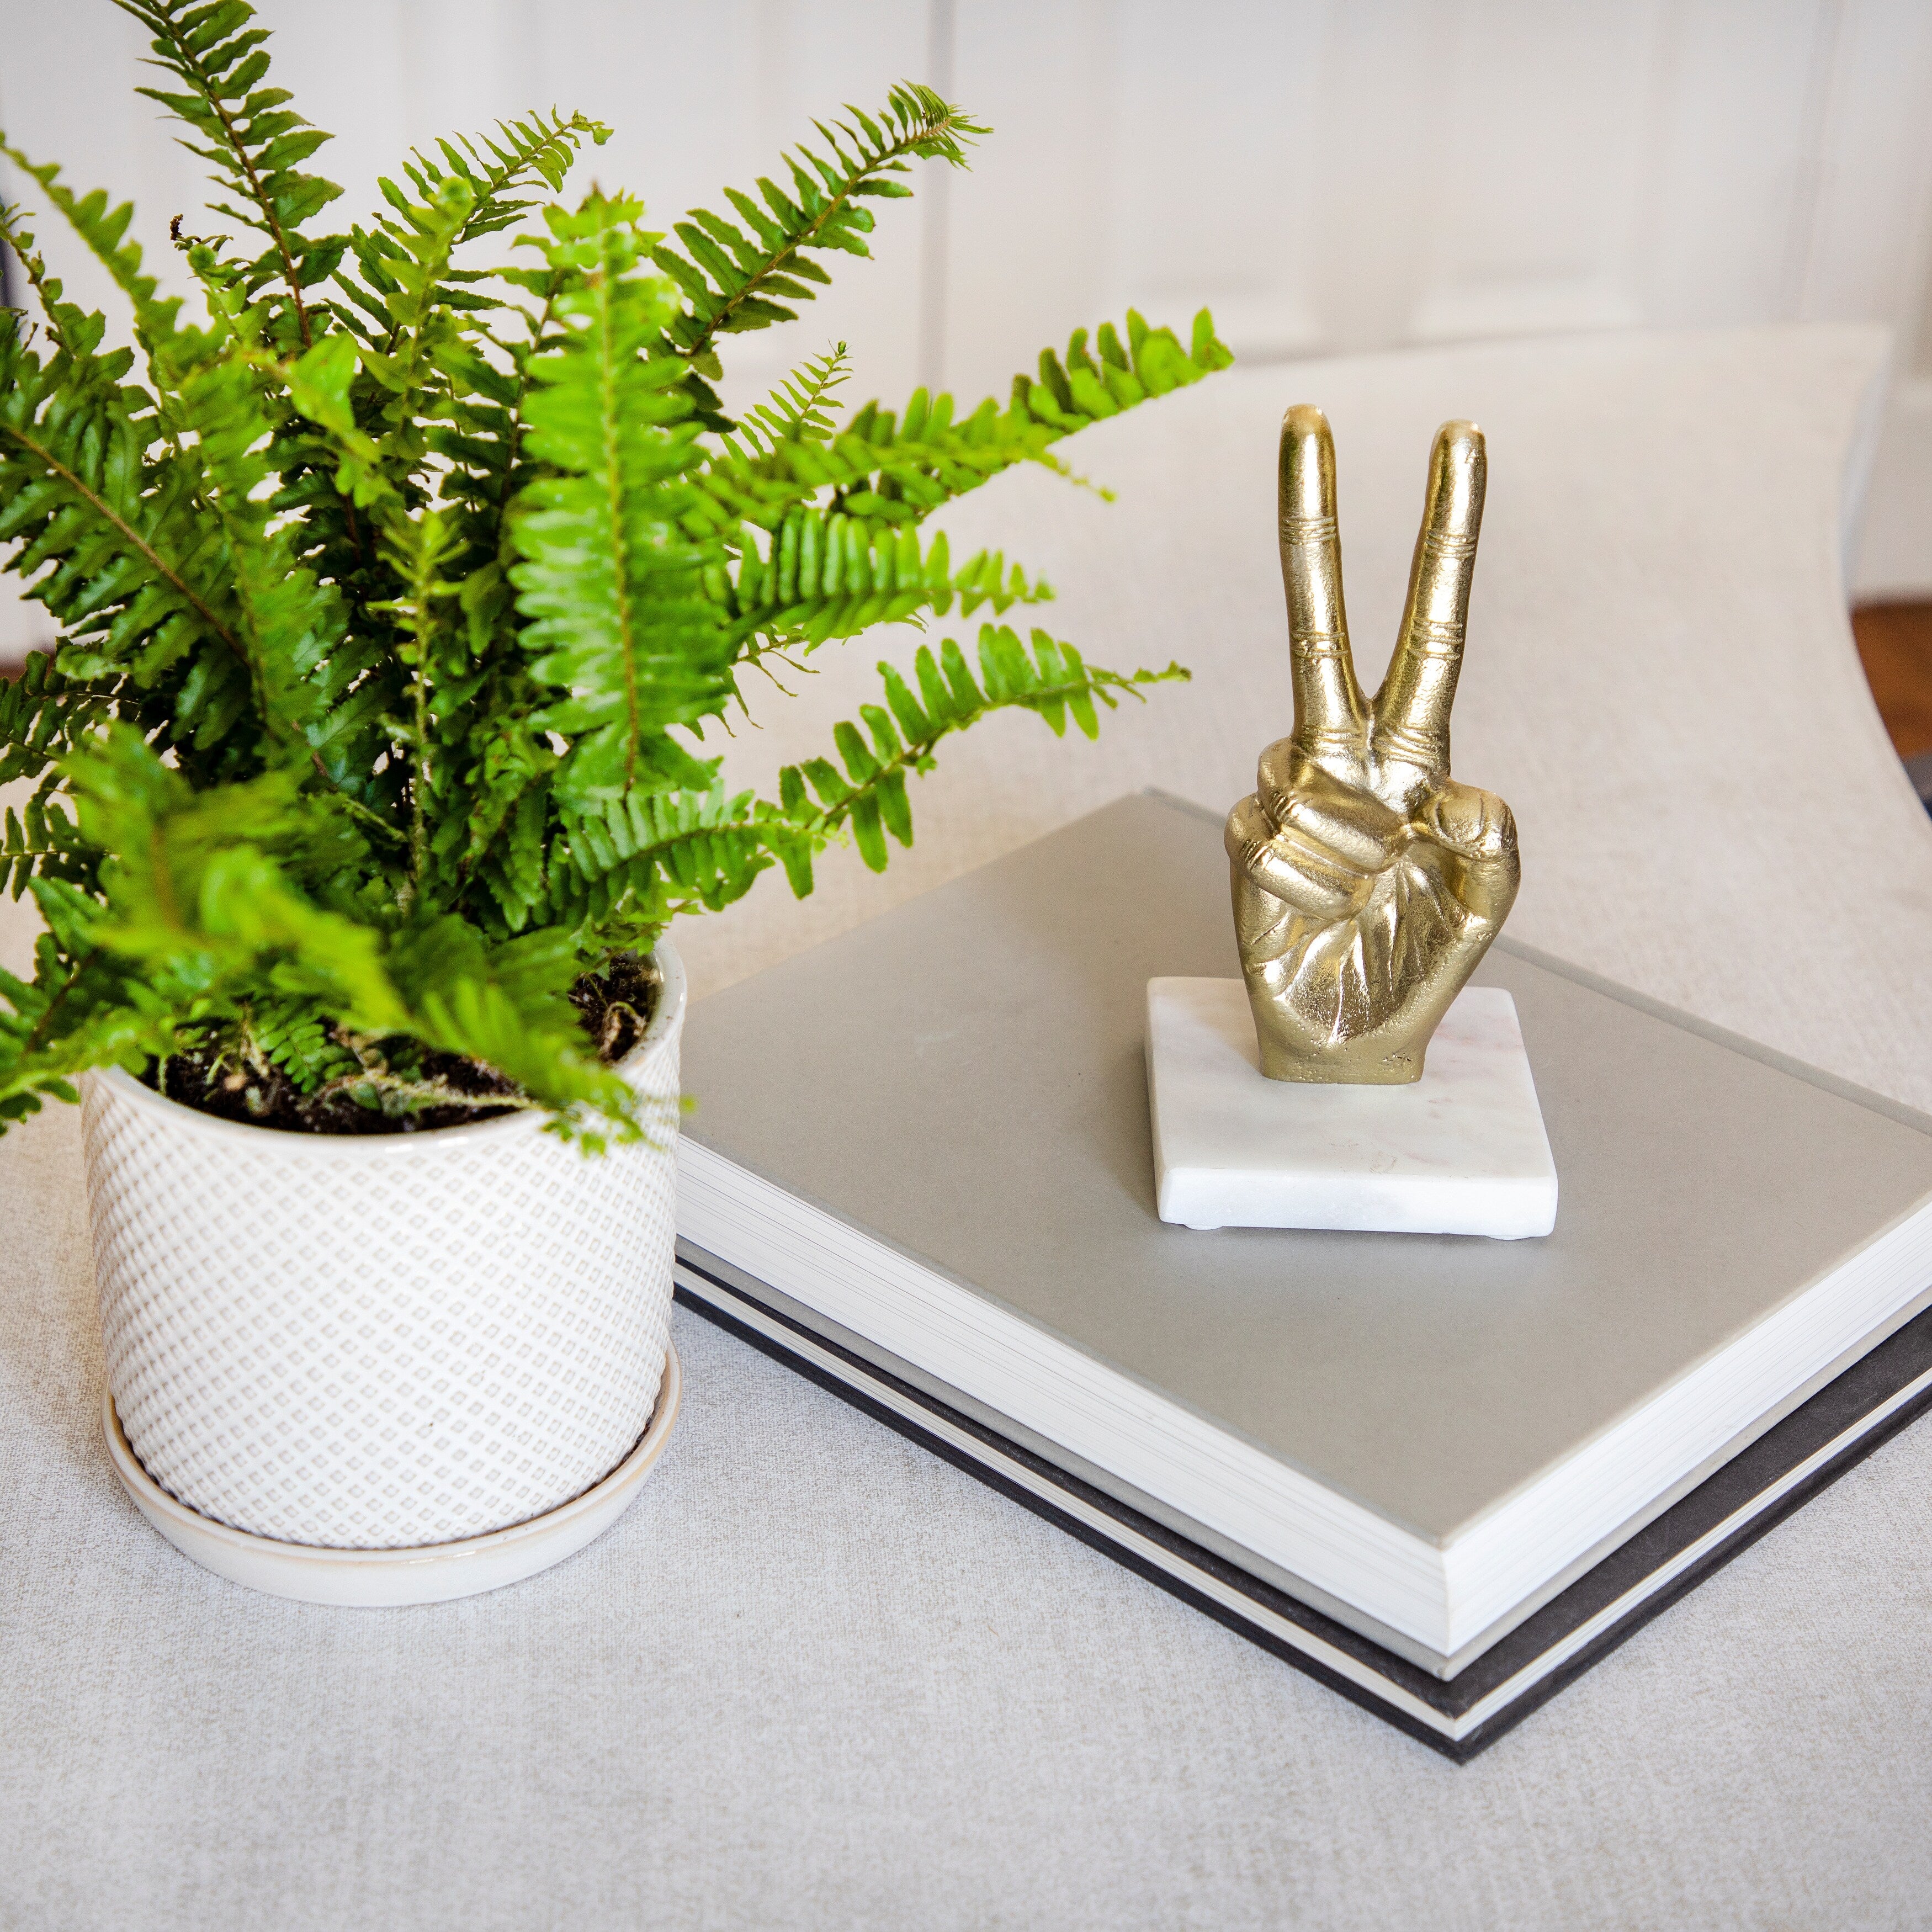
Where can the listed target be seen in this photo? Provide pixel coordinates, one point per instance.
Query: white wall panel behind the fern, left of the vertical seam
(698, 98)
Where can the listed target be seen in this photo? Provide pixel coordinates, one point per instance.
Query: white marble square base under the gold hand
(1460, 1152)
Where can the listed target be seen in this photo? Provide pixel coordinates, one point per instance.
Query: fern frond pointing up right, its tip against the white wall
(739, 279)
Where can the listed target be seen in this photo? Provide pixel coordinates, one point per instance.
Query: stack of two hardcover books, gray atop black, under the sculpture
(1442, 1473)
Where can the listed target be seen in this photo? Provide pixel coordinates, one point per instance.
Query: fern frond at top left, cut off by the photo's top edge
(248, 136)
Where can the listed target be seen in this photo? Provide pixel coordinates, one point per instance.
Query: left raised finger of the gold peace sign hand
(1330, 714)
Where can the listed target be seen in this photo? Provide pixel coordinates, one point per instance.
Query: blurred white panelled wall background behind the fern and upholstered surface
(1330, 177)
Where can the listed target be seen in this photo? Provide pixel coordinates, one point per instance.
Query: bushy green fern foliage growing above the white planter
(395, 600)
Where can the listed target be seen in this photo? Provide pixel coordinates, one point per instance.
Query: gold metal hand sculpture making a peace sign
(1367, 882)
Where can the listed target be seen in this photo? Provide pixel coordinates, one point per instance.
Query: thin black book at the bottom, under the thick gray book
(1701, 1533)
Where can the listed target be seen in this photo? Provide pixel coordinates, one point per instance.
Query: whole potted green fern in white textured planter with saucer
(399, 584)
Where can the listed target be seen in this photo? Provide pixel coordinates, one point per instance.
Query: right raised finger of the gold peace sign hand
(1413, 706)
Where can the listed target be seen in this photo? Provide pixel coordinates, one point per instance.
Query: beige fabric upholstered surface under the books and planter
(818, 1678)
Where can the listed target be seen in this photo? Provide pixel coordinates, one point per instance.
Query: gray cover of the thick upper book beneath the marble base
(963, 1079)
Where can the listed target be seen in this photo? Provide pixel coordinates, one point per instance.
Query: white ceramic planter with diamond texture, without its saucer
(384, 1342)
